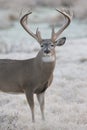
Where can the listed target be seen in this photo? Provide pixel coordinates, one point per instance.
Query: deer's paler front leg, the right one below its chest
(40, 98)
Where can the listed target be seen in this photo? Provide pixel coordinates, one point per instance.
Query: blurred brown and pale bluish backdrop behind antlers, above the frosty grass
(14, 38)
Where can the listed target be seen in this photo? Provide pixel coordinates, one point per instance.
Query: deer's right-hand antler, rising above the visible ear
(68, 16)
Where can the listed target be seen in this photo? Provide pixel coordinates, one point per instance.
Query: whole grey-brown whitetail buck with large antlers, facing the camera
(33, 75)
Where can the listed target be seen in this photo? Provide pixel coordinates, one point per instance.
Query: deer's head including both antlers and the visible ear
(48, 45)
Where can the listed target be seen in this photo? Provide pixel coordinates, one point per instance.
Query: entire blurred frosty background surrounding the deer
(66, 99)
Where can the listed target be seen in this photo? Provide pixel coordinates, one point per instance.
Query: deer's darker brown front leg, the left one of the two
(30, 98)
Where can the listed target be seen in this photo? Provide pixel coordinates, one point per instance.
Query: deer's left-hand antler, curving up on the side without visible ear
(23, 22)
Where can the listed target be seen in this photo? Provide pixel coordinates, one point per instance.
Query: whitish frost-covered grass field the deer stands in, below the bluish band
(66, 99)
